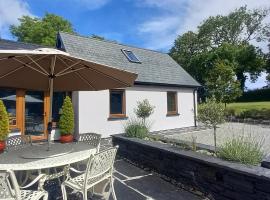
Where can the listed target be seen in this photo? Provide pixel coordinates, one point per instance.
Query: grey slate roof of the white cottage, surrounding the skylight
(155, 67)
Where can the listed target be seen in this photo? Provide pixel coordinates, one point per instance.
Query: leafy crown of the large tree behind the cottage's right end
(224, 38)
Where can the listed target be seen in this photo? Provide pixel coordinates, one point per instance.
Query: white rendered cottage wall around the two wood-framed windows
(93, 109)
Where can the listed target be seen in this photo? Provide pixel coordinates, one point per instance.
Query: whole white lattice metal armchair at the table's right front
(99, 168)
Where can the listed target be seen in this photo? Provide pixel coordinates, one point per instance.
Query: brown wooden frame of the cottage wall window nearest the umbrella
(118, 115)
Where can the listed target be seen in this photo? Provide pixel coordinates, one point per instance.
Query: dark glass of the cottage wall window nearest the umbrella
(116, 101)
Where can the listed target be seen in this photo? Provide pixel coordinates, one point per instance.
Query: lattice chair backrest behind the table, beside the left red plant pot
(18, 141)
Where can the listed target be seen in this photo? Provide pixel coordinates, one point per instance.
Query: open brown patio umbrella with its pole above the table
(52, 70)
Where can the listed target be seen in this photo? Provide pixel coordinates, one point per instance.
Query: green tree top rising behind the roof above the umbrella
(40, 31)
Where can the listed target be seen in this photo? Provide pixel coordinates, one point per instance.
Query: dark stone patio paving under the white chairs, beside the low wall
(132, 183)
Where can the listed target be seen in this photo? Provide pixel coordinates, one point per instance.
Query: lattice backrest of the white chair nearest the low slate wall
(100, 163)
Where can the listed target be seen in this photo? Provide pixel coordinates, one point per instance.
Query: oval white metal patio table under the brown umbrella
(37, 157)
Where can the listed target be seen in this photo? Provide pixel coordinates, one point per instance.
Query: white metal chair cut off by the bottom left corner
(10, 190)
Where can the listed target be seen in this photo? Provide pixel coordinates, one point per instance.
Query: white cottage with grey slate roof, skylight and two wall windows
(161, 80)
